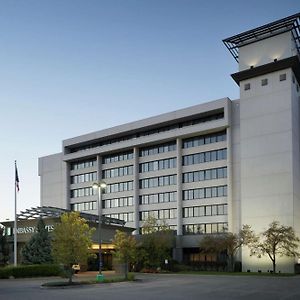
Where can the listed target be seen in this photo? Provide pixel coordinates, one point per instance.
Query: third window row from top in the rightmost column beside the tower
(204, 175)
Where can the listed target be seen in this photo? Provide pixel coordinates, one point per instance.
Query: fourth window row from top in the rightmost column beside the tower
(209, 192)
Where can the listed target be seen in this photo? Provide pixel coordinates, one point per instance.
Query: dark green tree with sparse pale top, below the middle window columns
(156, 243)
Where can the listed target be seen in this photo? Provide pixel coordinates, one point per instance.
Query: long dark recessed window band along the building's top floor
(215, 115)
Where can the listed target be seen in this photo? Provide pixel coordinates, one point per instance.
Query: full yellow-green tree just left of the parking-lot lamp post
(72, 238)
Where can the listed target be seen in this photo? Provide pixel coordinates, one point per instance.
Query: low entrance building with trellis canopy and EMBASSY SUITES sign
(27, 227)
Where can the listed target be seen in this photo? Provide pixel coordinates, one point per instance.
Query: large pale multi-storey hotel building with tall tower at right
(204, 169)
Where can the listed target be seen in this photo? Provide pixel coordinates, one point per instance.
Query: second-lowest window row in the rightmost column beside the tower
(205, 210)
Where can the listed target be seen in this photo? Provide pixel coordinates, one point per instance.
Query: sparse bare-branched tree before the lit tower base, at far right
(277, 240)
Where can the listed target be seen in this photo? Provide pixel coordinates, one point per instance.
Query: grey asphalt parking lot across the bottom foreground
(161, 287)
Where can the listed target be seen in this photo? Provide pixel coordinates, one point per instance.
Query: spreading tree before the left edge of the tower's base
(229, 242)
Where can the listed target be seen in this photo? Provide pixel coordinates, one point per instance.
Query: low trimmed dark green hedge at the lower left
(30, 271)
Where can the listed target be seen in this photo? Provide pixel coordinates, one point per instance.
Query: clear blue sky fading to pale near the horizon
(70, 67)
